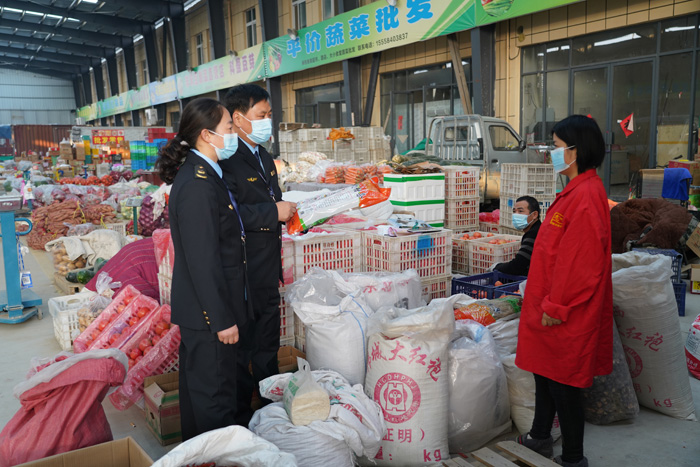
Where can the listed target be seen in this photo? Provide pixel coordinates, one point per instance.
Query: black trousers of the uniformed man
(260, 341)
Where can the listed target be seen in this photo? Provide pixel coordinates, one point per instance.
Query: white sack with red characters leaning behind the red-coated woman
(646, 316)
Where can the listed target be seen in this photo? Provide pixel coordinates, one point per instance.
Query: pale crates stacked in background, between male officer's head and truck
(368, 147)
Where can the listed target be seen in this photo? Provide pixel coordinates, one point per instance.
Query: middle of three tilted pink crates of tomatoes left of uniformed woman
(125, 325)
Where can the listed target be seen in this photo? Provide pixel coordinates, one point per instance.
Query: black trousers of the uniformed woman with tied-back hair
(209, 371)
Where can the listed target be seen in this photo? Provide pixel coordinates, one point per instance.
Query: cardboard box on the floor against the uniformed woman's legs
(162, 400)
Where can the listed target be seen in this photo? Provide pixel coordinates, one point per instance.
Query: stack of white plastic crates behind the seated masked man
(536, 180)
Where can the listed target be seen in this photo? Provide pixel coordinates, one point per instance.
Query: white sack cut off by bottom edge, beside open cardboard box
(232, 445)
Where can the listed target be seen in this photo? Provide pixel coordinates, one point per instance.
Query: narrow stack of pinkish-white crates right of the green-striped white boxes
(461, 198)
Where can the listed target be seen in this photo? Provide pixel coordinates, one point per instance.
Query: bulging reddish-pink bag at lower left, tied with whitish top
(62, 407)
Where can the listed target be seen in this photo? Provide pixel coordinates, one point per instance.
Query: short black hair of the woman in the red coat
(584, 133)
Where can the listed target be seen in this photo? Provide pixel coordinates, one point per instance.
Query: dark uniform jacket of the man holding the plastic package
(251, 187)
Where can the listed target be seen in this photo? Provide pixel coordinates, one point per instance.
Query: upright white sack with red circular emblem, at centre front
(407, 375)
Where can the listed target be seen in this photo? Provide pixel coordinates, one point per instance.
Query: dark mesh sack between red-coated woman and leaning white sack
(612, 397)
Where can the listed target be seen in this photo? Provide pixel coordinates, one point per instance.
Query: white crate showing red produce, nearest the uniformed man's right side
(339, 250)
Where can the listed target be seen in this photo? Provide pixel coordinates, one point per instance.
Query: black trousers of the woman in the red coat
(553, 398)
